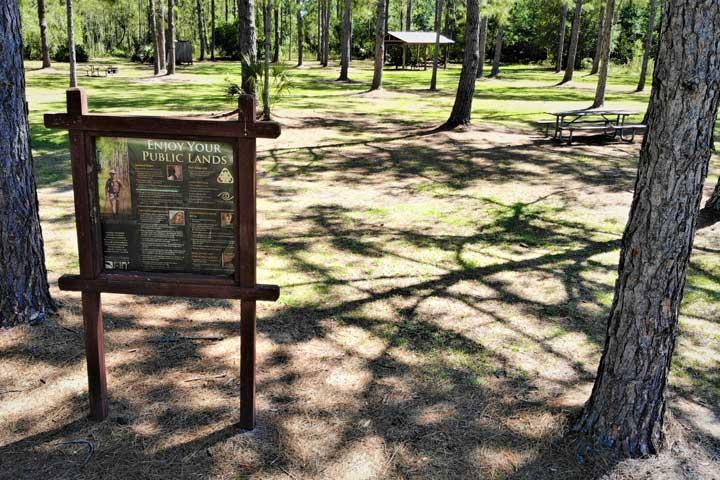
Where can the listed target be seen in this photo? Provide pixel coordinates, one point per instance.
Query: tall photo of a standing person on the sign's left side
(113, 177)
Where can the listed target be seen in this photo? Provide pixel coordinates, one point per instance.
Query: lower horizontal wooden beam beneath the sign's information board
(175, 285)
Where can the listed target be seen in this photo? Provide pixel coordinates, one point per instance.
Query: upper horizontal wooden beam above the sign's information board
(146, 125)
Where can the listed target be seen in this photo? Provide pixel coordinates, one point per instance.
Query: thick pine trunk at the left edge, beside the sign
(24, 293)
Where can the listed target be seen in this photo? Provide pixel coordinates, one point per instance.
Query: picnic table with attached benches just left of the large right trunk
(609, 122)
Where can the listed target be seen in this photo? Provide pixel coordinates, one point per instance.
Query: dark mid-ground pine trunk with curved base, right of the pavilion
(462, 107)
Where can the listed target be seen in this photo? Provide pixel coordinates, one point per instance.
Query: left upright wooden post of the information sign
(83, 170)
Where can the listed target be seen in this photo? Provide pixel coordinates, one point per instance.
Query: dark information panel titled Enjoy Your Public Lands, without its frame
(166, 205)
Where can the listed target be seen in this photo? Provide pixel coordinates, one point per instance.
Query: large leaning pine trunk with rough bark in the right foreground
(627, 405)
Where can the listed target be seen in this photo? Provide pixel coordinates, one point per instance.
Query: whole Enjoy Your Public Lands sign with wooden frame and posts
(164, 206)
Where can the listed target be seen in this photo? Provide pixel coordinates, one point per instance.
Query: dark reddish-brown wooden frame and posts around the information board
(93, 280)
